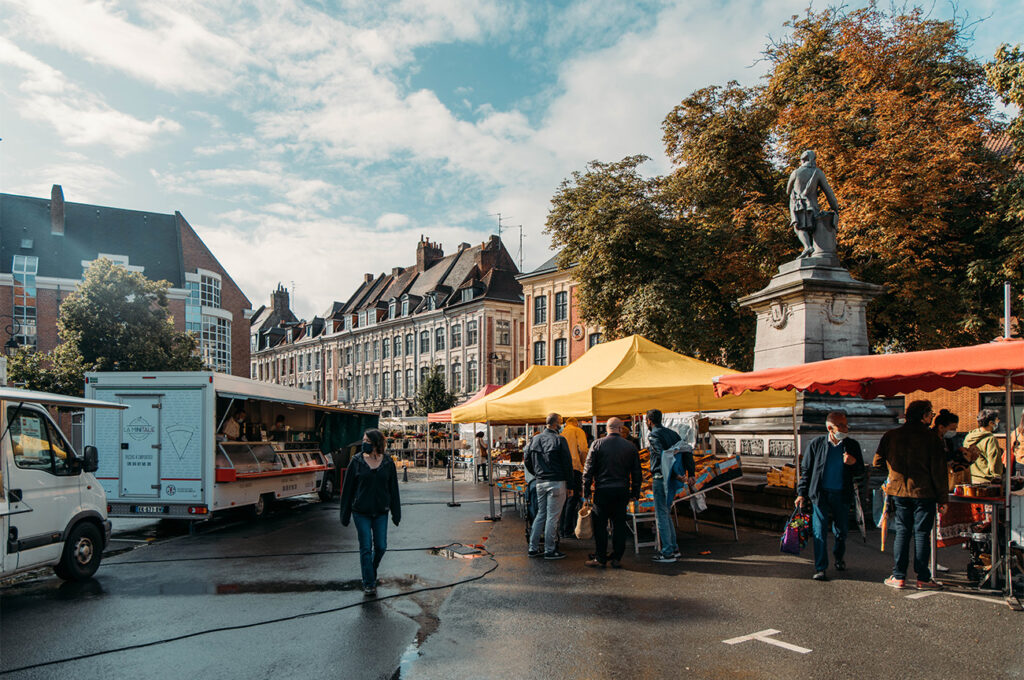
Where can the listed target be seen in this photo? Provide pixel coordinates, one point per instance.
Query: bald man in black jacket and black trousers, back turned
(614, 469)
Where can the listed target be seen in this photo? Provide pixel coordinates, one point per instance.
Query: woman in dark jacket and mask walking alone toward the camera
(370, 491)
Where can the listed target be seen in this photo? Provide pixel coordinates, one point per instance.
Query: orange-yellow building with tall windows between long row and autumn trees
(557, 333)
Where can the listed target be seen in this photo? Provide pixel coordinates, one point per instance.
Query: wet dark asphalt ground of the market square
(529, 619)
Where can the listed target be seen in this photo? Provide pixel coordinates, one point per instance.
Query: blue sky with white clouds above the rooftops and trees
(311, 142)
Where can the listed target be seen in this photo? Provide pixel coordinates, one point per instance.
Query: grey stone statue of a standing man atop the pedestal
(816, 230)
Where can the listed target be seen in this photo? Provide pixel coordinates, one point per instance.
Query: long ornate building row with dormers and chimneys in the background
(462, 313)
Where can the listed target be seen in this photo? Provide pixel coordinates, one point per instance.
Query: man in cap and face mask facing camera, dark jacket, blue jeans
(827, 475)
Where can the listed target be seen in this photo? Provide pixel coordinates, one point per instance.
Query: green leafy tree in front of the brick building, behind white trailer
(115, 321)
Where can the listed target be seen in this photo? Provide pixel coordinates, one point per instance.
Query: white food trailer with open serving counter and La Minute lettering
(176, 452)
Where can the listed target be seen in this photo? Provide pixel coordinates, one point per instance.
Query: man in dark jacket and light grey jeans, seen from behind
(548, 459)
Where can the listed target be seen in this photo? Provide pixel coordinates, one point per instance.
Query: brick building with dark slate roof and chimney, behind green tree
(48, 244)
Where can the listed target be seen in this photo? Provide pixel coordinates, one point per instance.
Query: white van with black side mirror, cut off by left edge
(53, 509)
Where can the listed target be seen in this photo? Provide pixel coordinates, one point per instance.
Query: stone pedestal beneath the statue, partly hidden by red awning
(812, 311)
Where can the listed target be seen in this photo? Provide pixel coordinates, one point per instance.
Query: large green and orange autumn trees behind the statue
(900, 116)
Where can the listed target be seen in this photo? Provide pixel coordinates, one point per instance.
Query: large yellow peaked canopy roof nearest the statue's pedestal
(627, 376)
